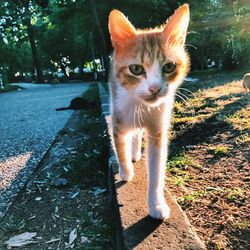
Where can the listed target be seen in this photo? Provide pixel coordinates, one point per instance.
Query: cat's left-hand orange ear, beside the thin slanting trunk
(120, 28)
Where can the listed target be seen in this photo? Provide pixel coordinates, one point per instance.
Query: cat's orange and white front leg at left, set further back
(123, 143)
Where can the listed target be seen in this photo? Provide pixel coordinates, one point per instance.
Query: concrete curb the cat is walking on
(134, 228)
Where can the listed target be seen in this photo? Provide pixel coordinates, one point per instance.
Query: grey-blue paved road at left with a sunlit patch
(28, 126)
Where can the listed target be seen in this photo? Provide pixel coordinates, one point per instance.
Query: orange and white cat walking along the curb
(147, 68)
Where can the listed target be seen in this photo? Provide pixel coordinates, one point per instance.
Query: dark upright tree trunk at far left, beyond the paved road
(36, 62)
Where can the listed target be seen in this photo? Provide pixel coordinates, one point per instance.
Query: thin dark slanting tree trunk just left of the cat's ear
(102, 39)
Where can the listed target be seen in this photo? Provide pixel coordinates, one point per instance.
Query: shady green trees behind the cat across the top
(62, 40)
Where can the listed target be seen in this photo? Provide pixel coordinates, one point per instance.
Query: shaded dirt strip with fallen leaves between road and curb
(65, 202)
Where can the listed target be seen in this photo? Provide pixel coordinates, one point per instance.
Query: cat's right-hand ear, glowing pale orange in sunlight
(174, 33)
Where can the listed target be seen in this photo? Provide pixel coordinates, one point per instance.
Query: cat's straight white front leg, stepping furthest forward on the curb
(157, 154)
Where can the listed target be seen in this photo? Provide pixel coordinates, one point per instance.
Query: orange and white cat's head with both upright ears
(150, 63)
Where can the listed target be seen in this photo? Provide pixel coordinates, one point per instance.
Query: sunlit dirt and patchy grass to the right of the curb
(208, 169)
